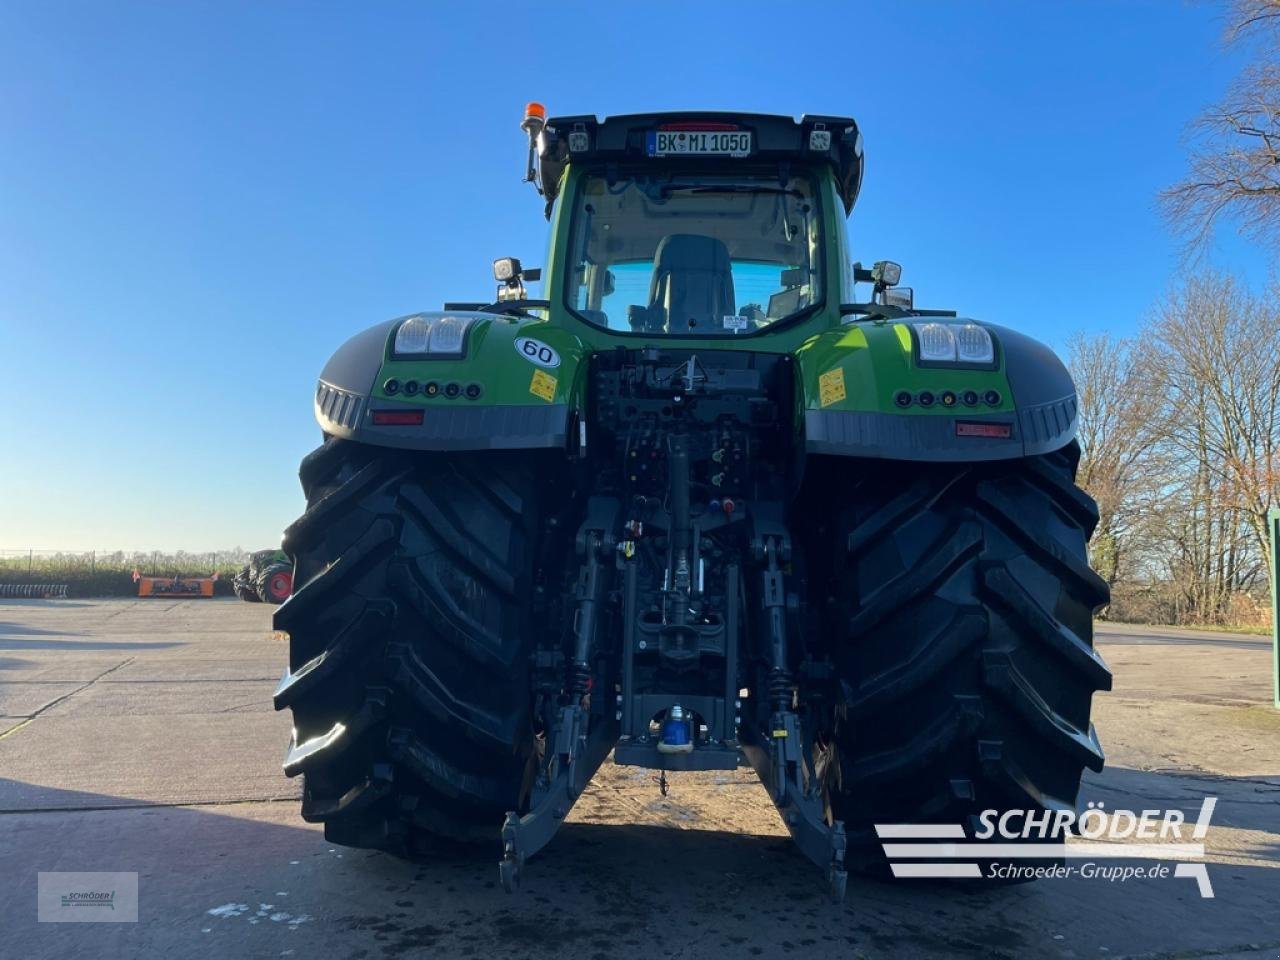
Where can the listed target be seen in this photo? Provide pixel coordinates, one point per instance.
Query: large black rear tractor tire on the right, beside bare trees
(963, 641)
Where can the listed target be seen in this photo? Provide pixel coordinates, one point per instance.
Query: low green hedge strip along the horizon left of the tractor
(111, 574)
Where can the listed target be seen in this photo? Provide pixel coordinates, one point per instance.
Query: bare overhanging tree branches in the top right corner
(1236, 159)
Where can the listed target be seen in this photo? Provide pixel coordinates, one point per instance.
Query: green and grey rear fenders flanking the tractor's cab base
(523, 385)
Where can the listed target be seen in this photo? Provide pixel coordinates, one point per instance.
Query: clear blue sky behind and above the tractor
(202, 202)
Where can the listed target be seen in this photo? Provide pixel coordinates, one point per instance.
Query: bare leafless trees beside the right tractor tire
(1180, 429)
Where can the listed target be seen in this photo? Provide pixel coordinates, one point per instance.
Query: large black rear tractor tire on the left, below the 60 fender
(410, 638)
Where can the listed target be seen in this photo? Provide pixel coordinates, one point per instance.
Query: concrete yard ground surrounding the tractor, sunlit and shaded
(139, 735)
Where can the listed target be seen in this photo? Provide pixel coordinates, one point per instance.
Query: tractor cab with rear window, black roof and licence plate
(696, 225)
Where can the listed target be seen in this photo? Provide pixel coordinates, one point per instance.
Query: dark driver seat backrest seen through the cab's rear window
(692, 286)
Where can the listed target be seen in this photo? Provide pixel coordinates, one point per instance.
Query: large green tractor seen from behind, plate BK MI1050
(701, 505)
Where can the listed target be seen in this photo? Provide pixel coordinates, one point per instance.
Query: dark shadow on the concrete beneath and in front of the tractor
(252, 880)
